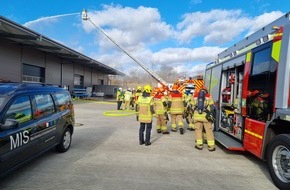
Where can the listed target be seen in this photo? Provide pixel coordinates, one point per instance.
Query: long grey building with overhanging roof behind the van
(26, 56)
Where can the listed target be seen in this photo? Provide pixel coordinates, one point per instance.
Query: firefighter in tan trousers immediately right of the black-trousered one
(160, 106)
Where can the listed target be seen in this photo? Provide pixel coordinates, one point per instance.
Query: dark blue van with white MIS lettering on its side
(33, 119)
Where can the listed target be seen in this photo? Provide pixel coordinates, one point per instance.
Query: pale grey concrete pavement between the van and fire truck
(105, 154)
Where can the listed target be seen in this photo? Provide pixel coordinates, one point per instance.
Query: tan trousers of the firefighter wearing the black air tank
(199, 125)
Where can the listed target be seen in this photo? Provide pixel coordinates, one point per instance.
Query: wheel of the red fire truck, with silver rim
(278, 158)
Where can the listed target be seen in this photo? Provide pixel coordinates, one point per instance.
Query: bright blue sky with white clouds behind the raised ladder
(184, 34)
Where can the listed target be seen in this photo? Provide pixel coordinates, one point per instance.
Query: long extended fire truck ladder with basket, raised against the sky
(140, 63)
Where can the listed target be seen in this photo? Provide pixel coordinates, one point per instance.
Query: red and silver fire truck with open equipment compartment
(250, 83)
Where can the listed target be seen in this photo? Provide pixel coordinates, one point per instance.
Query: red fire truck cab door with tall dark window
(259, 92)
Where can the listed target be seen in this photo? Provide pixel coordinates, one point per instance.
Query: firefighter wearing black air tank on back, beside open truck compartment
(203, 118)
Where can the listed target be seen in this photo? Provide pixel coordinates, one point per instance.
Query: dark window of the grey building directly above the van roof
(33, 74)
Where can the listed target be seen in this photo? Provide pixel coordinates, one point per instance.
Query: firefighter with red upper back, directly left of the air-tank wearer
(176, 105)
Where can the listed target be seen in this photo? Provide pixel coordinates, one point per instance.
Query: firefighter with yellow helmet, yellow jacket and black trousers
(145, 109)
